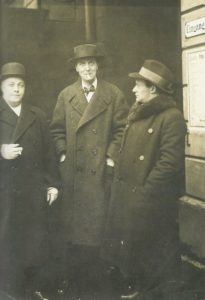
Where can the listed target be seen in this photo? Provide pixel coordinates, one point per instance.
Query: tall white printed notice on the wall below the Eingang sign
(196, 86)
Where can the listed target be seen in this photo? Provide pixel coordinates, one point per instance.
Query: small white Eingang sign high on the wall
(195, 27)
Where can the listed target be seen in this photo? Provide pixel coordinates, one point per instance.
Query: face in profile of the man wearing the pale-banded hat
(142, 93)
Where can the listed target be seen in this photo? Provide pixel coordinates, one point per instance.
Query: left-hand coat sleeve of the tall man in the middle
(58, 126)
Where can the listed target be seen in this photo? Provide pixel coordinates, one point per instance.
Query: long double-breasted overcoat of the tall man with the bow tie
(87, 134)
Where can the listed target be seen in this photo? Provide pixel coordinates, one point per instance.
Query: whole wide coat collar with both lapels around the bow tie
(97, 105)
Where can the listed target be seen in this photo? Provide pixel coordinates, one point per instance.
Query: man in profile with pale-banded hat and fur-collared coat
(141, 237)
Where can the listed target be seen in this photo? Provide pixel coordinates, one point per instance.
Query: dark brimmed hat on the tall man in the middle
(85, 51)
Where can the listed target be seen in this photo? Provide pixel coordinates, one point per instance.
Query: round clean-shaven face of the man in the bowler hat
(13, 89)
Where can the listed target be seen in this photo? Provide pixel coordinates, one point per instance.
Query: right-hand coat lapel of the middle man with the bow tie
(97, 105)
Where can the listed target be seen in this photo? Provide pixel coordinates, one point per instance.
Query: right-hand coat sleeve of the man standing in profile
(170, 162)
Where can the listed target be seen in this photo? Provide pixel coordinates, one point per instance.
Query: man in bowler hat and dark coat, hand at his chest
(28, 182)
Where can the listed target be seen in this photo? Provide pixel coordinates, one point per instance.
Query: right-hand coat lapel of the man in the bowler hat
(25, 120)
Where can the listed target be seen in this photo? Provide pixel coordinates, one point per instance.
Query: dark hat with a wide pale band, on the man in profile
(157, 73)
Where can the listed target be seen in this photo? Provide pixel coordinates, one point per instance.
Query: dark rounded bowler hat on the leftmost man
(12, 69)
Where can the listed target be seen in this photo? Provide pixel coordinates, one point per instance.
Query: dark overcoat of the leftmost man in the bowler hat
(24, 182)
